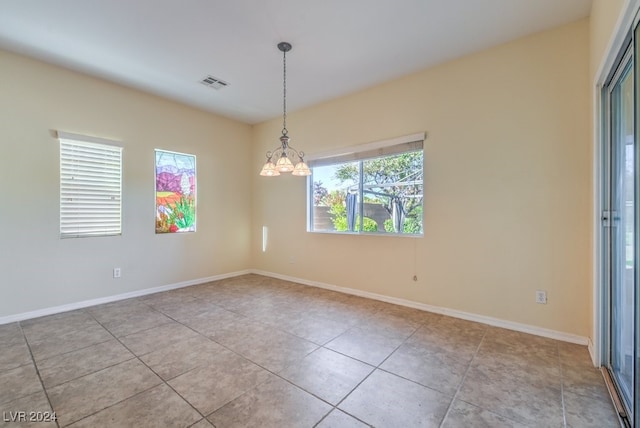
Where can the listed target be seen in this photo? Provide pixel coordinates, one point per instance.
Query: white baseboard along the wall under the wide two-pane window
(496, 322)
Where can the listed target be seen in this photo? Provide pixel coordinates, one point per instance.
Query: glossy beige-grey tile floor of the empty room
(253, 351)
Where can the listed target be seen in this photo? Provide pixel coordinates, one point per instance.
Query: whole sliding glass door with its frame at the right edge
(620, 222)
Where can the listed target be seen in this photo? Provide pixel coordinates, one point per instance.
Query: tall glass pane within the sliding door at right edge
(623, 234)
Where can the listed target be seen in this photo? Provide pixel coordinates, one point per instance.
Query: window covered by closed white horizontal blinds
(90, 186)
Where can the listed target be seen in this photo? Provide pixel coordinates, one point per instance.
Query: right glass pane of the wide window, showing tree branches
(393, 193)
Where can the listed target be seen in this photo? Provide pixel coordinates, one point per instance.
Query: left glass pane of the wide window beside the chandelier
(335, 198)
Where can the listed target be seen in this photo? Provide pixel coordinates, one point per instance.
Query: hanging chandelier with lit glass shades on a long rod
(283, 154)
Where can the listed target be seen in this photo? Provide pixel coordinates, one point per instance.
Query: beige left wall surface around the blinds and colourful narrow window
(39, 270)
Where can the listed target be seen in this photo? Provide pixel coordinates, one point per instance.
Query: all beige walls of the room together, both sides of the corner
(507, 171)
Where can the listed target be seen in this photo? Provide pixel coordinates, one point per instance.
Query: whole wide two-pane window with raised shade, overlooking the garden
(374, 188)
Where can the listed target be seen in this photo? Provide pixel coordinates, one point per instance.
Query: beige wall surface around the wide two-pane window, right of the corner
(507, 185)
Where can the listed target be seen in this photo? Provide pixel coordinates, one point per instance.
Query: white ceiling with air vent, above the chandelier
(339, 46)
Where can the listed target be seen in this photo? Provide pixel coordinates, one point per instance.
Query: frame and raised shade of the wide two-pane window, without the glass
(361, 154)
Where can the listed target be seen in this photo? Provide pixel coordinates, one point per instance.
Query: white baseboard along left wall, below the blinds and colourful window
(101, 300)
